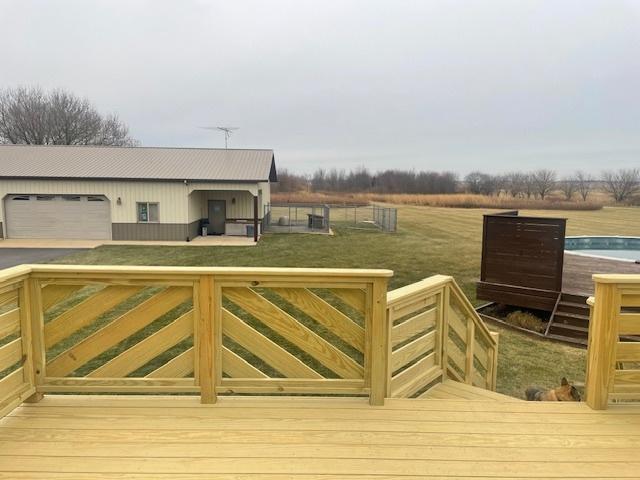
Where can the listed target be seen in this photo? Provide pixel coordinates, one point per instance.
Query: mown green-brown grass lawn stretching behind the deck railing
(429, 241)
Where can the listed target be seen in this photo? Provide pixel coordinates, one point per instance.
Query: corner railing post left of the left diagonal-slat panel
(33, 335)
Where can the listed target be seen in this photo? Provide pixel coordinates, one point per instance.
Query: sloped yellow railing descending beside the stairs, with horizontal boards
(436, 334)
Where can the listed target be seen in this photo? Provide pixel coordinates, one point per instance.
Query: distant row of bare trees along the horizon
(622, 185)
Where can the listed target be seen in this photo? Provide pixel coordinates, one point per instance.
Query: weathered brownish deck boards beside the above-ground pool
(579, 270)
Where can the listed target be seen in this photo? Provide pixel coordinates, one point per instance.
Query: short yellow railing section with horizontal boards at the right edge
(613, 361)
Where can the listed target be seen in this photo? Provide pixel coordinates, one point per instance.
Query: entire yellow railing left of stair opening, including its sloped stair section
(217, 331)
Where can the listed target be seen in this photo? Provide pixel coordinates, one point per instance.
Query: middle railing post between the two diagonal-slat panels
(205, 313)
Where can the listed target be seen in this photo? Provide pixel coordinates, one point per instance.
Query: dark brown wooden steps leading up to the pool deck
(570, 319)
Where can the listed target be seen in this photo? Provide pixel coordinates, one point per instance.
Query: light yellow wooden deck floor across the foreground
(107, 437)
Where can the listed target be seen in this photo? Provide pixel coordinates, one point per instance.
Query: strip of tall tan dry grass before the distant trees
(456, 200)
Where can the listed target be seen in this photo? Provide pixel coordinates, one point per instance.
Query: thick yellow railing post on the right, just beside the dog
(601, 350)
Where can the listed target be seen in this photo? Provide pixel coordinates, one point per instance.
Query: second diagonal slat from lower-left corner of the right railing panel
(263, 348)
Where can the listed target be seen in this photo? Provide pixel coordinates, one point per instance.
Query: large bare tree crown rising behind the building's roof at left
(29, 115)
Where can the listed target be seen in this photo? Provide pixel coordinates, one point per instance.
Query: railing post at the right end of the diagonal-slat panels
(379, 349)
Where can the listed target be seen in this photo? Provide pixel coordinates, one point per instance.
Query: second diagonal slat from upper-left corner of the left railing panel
(86, 312)
